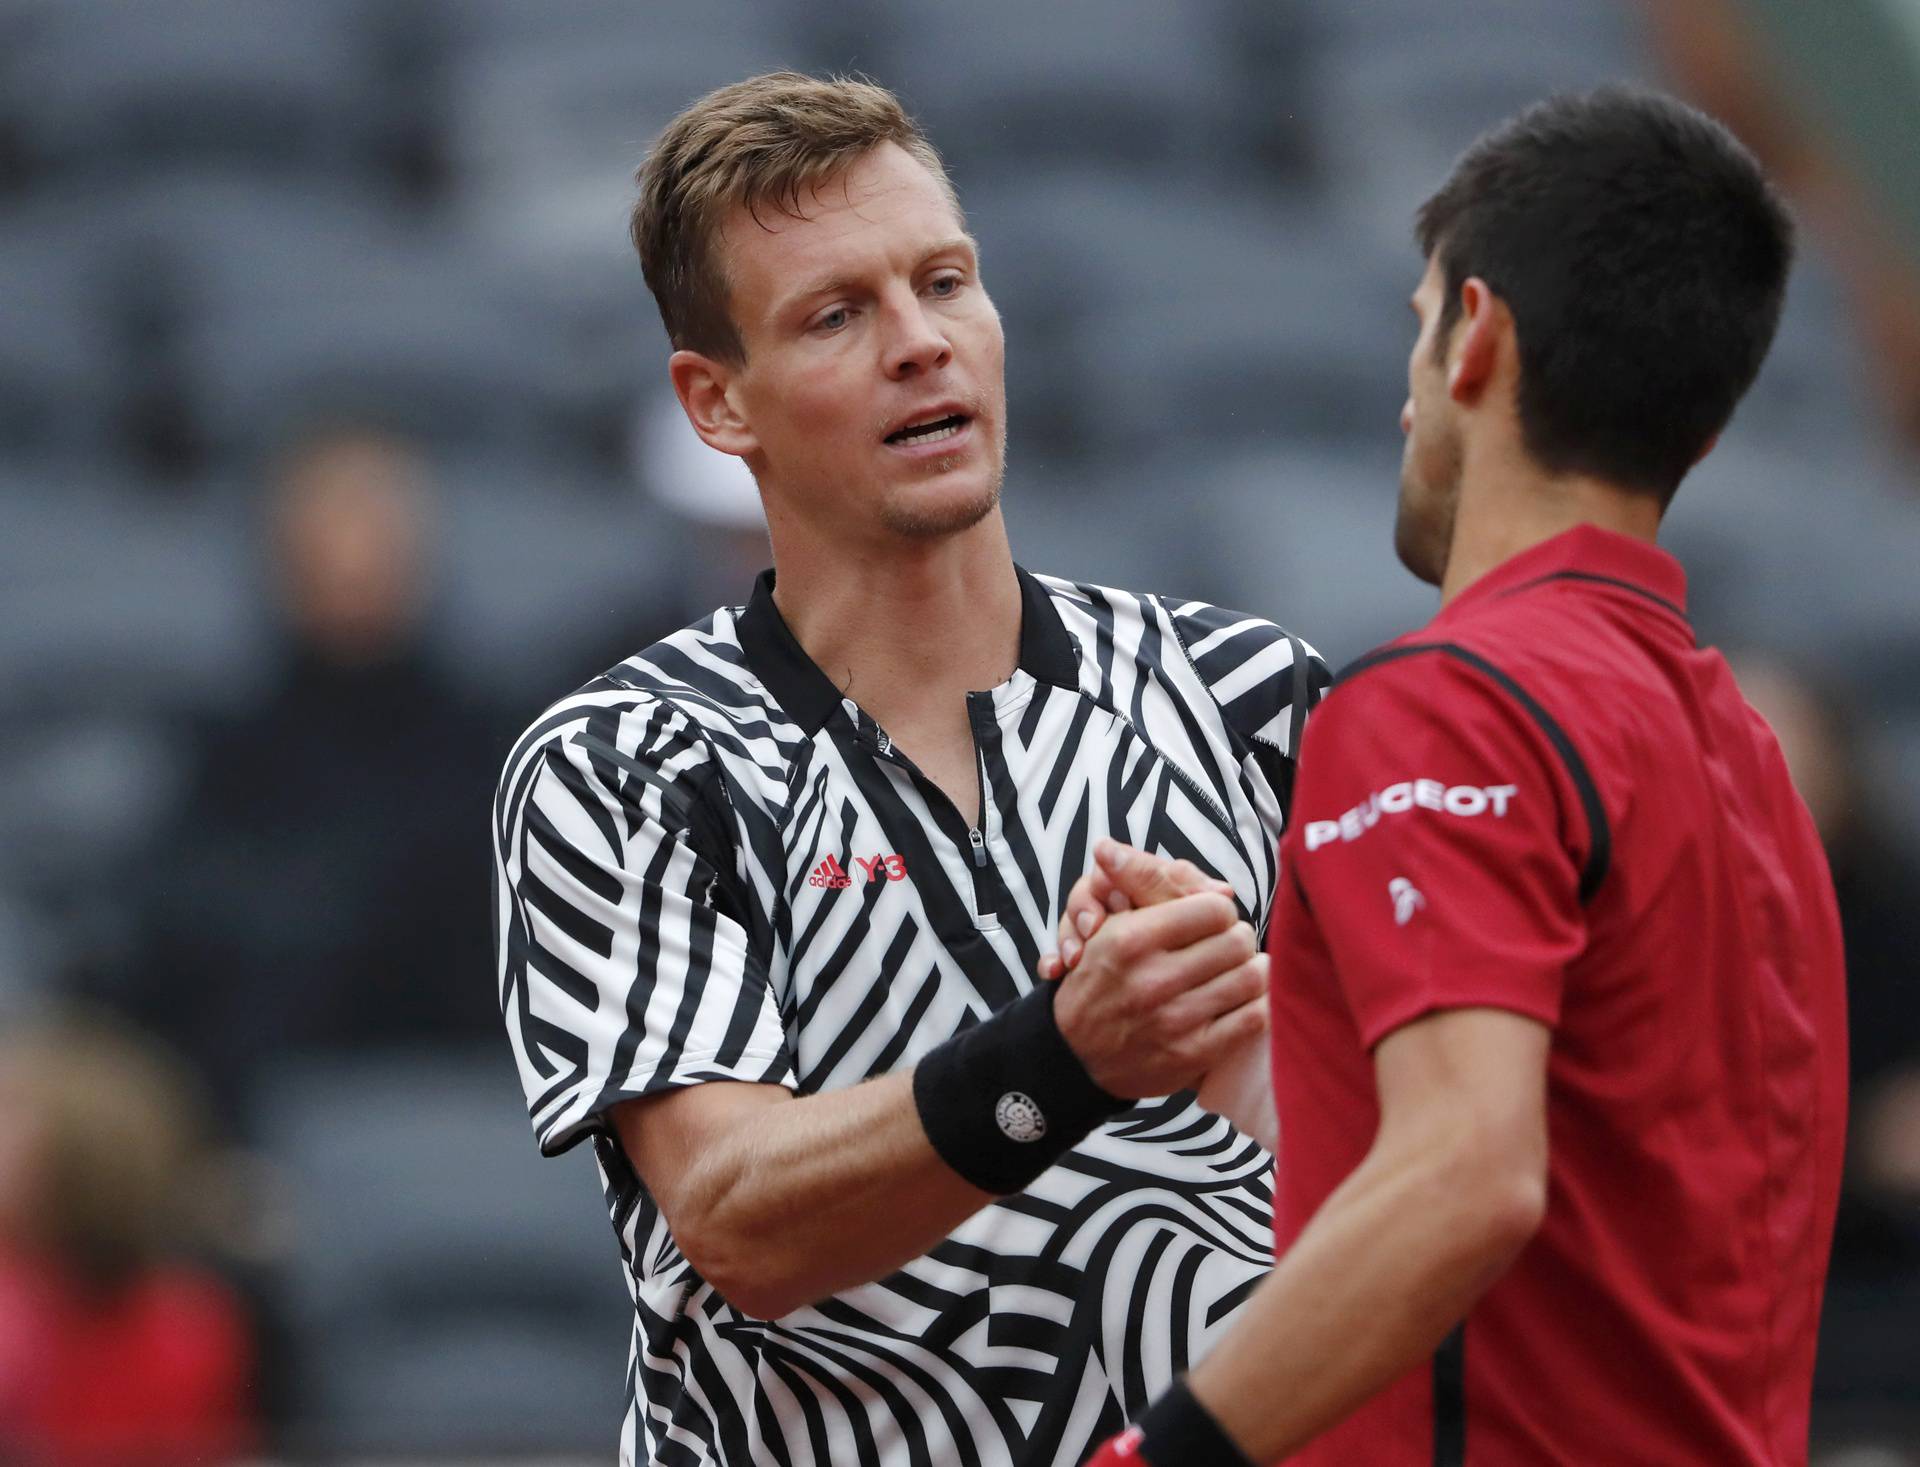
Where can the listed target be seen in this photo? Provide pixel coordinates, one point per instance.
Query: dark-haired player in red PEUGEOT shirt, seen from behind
(1558, 1001)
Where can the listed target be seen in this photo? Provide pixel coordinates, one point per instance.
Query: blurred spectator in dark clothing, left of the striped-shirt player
(324, 884)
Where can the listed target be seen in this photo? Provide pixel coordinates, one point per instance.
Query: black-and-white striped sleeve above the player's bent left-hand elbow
(621, 971)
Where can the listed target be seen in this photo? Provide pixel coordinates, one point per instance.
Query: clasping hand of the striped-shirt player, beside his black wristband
(1163, 996)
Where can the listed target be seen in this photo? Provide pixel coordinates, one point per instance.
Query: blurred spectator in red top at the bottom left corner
(112, 1351)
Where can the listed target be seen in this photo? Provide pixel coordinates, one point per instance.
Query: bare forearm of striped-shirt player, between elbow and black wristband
(819, 1195)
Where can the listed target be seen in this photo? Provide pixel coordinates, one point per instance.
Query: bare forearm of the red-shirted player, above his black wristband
(1385, 1270)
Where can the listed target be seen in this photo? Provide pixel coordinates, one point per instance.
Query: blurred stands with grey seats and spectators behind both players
(335, 445)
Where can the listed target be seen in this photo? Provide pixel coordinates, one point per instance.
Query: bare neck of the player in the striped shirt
(898, 625)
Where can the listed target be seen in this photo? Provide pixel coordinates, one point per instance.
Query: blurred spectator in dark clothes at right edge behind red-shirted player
(1875, 880)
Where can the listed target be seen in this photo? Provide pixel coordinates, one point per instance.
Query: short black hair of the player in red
(1644, 260)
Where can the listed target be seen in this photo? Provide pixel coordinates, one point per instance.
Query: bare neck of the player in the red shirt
(1506, 508)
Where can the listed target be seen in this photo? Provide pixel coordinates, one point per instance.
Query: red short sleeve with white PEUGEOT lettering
(1437, 846)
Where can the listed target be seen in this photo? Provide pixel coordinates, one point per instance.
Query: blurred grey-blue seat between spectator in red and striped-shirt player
(444, 1289)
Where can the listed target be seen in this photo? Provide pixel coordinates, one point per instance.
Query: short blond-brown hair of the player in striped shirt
(761, 143)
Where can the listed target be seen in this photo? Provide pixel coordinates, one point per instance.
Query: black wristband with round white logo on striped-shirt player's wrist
(1009, 1097)
